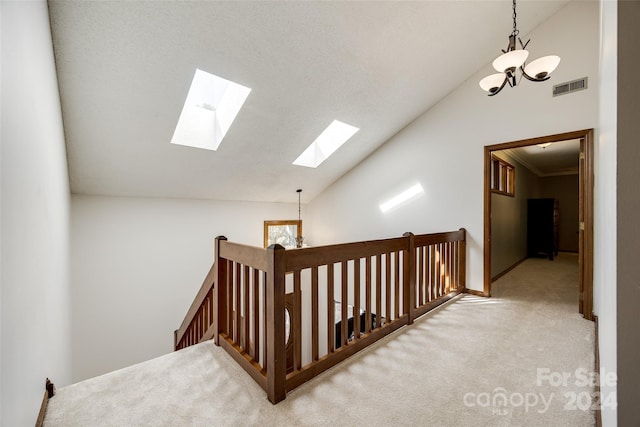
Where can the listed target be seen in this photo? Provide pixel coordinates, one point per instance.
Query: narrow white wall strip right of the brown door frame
(604, 286)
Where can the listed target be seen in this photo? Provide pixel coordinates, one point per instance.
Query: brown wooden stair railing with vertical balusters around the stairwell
(261, 294)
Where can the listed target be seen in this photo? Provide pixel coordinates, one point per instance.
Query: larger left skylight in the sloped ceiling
(211, 106)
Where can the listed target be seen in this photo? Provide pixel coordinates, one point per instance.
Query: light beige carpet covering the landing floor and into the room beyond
(448, 369)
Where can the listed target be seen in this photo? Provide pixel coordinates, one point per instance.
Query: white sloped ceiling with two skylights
(124, 69)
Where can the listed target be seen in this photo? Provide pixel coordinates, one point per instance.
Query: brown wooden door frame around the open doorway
(585, 251)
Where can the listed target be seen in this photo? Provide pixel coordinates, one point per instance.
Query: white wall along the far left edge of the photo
(35, 216)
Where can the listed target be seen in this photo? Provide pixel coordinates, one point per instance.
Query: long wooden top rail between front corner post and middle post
(322, 255)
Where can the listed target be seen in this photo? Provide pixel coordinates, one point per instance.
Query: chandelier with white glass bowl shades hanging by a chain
(513, 59)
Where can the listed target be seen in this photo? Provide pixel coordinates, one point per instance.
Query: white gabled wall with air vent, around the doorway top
(443, 149)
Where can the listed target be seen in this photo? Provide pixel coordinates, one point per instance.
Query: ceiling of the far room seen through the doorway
(559, 158)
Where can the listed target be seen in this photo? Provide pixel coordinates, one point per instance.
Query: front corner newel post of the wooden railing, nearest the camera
(276, 354)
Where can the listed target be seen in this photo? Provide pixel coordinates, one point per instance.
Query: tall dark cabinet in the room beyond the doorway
(543, 217)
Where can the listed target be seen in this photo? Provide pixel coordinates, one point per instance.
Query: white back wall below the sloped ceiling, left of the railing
(138, 263)
